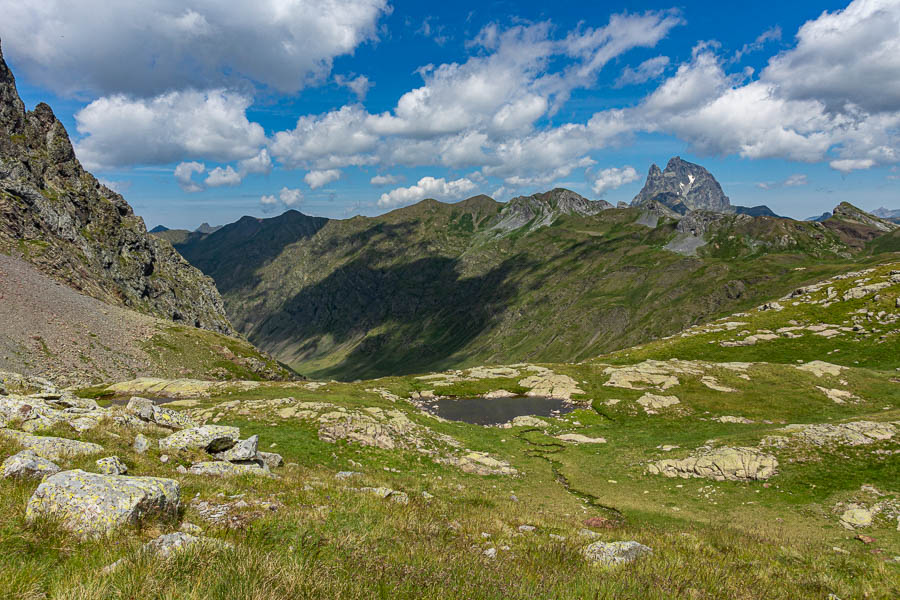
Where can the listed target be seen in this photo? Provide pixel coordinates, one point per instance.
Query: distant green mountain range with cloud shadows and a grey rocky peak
(548, 277)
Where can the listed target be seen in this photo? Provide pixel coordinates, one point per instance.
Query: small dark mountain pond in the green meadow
(494, 411)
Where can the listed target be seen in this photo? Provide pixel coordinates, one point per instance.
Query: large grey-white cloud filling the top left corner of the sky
(153, 46)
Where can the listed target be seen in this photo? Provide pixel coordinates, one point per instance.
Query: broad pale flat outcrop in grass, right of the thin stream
(721, 464)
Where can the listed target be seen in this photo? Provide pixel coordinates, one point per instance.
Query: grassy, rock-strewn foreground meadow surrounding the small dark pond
(689, 469)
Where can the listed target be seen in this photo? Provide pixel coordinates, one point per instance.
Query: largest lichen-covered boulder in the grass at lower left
(92, 504)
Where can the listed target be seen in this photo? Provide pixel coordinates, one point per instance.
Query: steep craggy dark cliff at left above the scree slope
(57, 216)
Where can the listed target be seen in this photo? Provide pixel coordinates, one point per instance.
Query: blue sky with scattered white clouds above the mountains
(202, 111)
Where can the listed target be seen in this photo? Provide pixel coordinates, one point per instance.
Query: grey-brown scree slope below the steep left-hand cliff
(53, 331)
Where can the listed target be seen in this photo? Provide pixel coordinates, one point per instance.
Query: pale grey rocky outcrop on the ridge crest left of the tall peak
(541, 210)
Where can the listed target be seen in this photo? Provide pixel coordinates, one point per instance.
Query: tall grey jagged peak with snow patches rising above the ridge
(680, 188)
